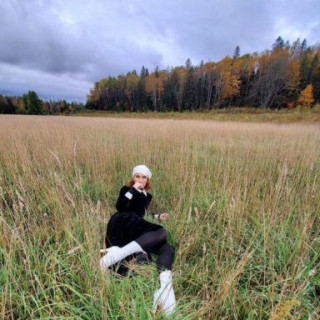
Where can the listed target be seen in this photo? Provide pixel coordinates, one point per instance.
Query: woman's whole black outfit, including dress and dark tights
(128, 224)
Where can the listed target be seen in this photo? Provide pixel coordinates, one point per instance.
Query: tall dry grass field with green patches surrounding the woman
(244, 204)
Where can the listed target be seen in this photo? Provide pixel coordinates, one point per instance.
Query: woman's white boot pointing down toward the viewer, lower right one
(165, 295)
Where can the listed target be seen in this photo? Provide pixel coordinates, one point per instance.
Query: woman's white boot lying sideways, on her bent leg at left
(116, 254)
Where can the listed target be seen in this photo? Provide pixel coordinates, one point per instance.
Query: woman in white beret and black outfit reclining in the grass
(128, 233)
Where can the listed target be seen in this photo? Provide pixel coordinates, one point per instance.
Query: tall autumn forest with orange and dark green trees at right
(285, 76)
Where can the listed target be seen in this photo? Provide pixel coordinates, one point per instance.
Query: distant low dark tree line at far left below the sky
(30, 103)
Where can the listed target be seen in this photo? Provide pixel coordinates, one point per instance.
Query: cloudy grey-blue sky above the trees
(59, 48)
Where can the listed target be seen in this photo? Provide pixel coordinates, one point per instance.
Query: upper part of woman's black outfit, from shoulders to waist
(132, 200)
